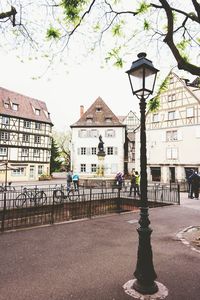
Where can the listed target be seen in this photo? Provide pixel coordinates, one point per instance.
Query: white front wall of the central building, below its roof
(112, 163)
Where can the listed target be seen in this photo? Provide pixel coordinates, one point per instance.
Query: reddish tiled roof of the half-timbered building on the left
(28, 108)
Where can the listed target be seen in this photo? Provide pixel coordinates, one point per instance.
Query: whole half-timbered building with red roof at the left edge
(25, 137)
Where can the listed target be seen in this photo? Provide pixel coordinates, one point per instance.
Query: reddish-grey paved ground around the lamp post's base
(92, 259)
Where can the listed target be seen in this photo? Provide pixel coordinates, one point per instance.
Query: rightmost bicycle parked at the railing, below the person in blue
(60, 194)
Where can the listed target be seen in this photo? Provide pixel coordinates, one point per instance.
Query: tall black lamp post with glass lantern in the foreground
(142, 76)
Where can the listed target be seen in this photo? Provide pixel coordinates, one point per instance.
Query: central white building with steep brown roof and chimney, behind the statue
(97, 121)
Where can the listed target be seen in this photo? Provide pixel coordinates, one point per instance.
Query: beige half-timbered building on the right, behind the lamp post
(173, 132)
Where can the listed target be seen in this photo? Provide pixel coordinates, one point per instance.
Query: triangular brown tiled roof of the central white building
(98, 115)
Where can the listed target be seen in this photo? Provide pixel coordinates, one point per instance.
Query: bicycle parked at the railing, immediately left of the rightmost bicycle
(35, 195)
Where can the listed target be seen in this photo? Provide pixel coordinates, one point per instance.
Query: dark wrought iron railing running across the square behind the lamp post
(39, 205)
